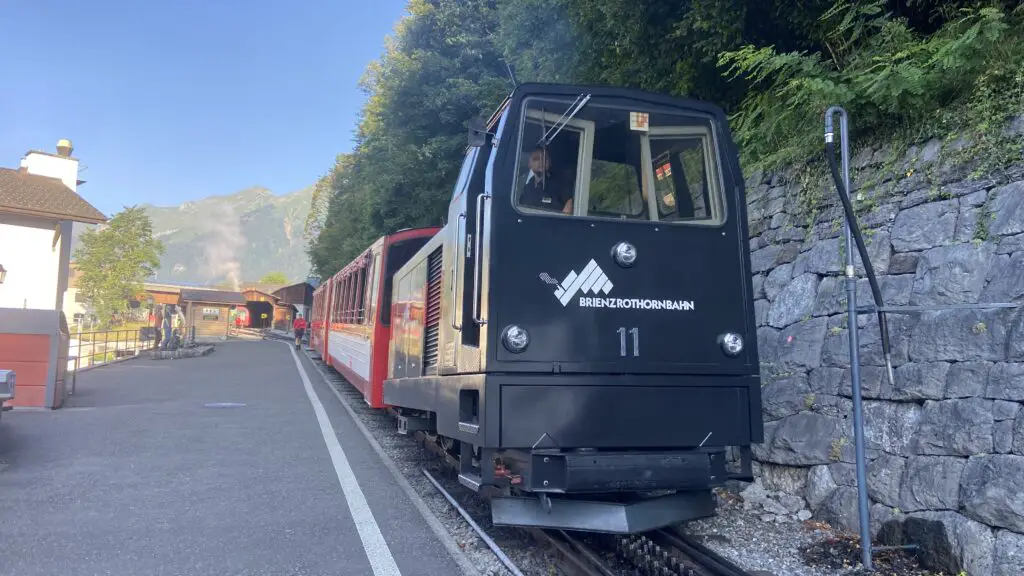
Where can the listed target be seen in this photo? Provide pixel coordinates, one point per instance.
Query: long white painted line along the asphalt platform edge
(378, 553)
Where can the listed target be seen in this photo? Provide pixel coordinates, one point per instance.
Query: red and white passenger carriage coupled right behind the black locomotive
(352, 317)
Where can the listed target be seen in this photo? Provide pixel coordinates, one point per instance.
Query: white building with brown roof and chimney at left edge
(38, 203)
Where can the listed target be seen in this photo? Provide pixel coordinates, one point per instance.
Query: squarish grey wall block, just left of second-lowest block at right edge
(931, 483)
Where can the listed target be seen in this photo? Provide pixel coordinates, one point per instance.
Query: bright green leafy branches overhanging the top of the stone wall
(881, 69)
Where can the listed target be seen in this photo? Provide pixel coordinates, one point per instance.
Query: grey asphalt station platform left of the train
(238, 463)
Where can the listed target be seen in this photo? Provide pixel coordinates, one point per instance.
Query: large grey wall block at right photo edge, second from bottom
(991, 490)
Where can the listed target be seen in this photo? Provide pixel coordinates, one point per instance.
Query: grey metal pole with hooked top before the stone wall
(851, 301)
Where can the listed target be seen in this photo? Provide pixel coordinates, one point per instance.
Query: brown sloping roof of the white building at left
(22, 193)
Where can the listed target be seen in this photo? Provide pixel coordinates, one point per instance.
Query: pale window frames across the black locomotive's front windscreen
(711, 146)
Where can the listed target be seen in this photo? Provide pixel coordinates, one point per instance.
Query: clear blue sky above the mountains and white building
(167, 102)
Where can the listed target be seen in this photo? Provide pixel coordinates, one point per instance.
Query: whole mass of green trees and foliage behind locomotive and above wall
(906, 70)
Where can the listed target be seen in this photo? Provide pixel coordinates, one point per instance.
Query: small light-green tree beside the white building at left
(115, 260)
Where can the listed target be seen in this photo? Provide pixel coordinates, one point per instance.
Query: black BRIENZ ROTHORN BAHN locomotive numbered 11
(590, 333)
